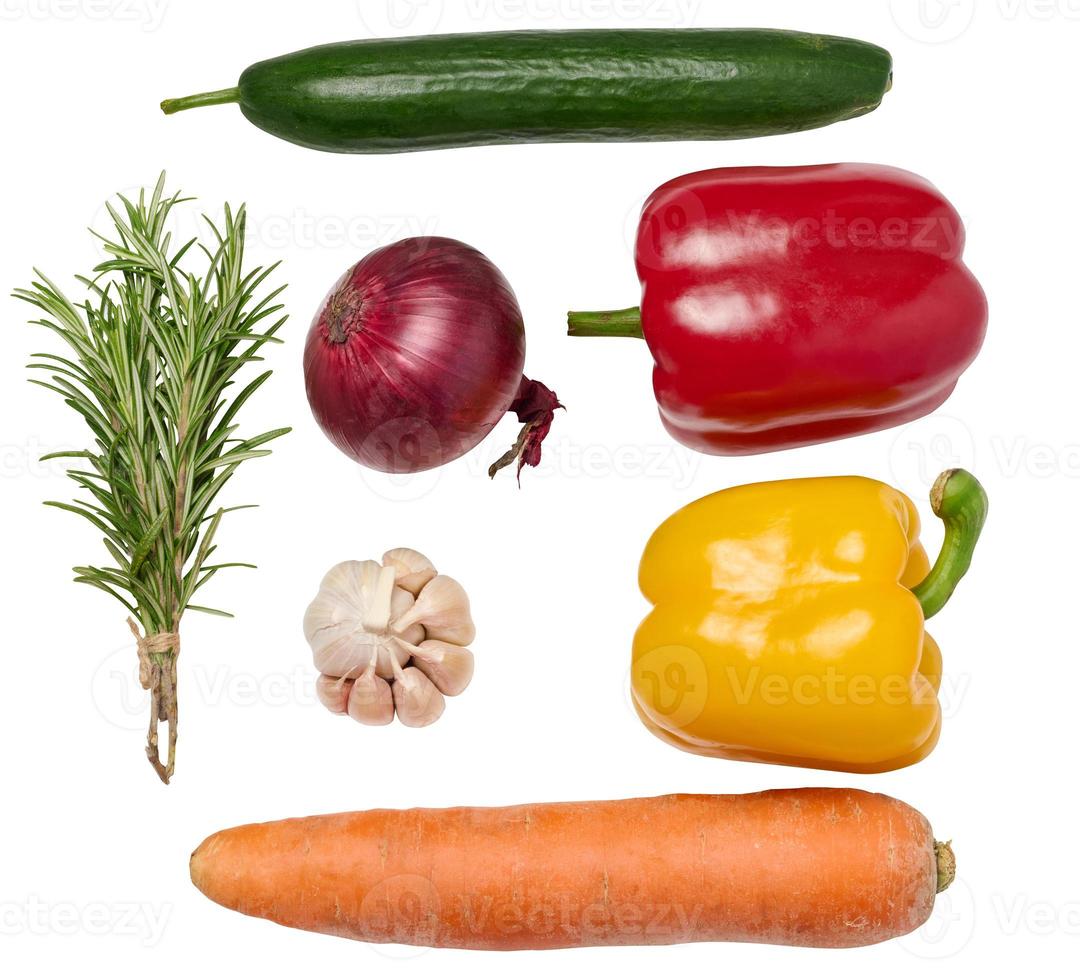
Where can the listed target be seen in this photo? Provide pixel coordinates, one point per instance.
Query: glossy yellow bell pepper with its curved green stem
(789, 622)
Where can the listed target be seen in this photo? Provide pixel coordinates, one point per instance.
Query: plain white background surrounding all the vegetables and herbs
(93, 851)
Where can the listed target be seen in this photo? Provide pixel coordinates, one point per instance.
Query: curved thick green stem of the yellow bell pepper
(958, 499)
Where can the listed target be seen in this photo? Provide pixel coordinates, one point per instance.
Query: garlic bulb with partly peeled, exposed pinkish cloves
(389, 638)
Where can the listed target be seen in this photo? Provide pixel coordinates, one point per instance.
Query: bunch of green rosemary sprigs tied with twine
(155, 356)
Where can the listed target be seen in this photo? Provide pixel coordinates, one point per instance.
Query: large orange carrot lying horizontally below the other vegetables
(814, 868)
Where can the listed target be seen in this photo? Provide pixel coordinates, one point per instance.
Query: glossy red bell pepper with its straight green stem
(789, 306)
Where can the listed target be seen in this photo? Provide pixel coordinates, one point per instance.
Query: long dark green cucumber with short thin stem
(384, 97)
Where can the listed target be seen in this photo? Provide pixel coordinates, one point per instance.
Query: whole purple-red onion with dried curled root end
(415, 356)
